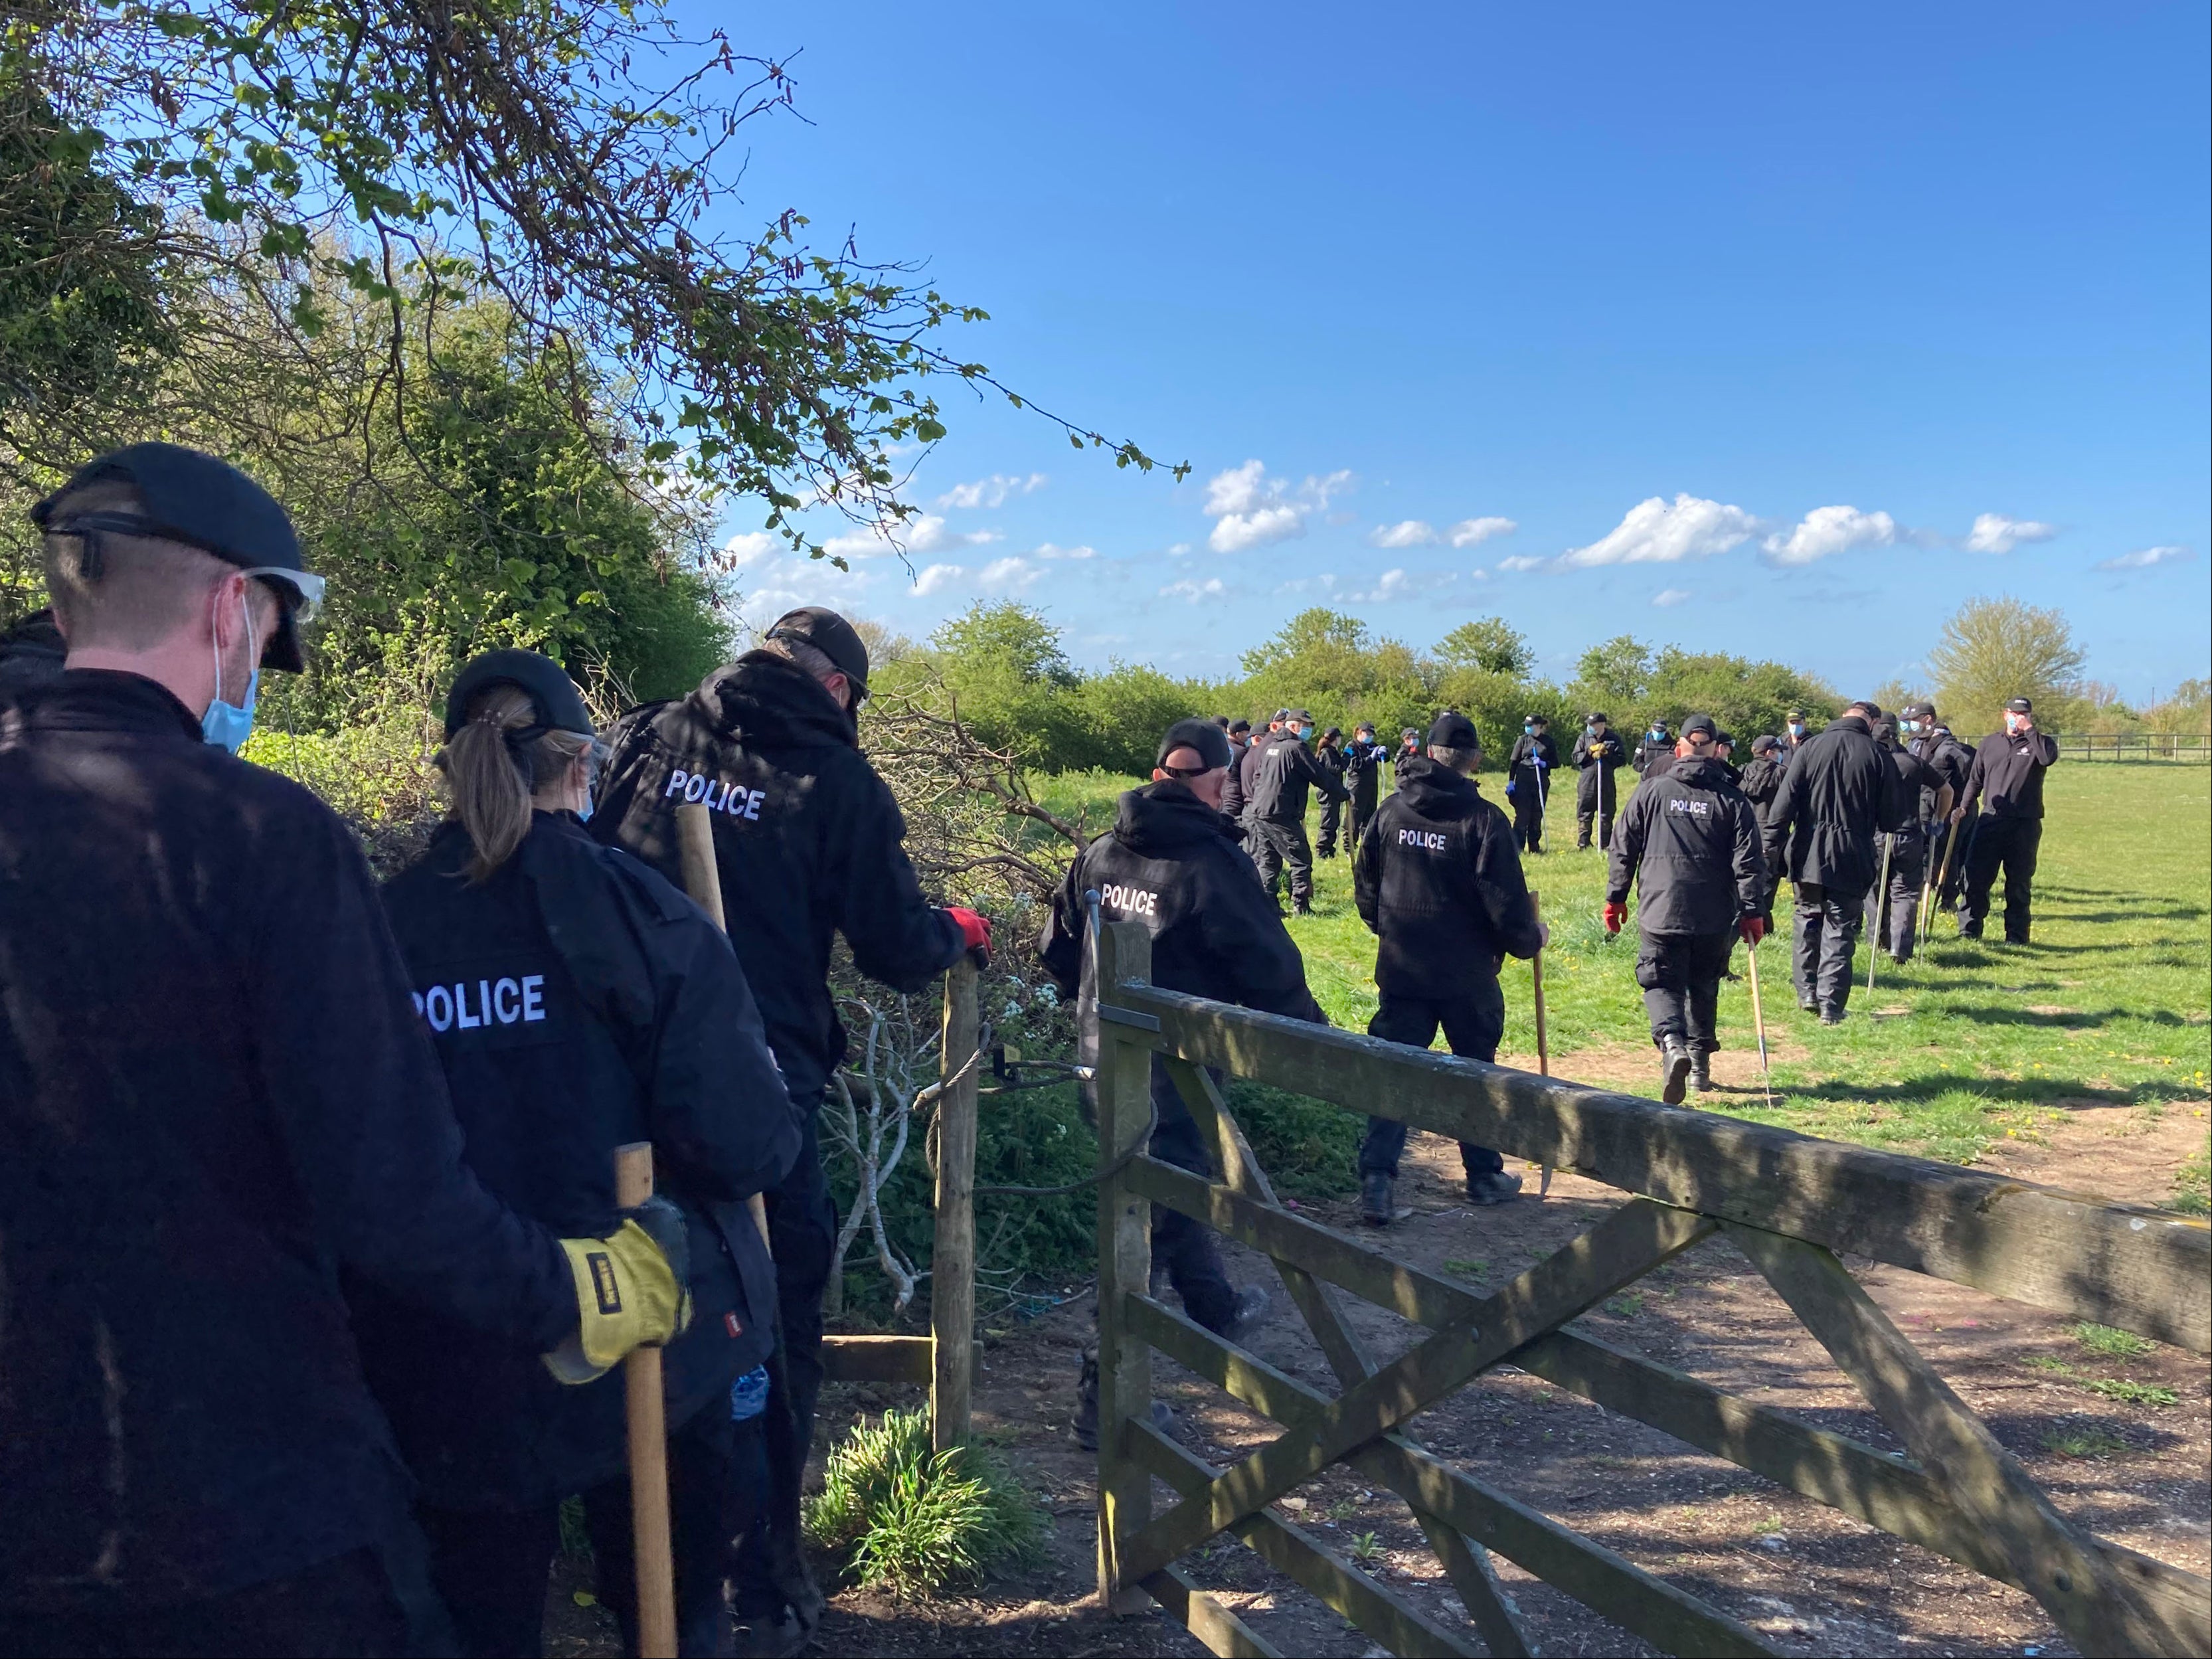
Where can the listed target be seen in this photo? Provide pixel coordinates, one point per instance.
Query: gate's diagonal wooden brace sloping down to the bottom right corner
(1985, 1481)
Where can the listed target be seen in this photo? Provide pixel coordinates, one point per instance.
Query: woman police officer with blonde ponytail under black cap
(578, 1003)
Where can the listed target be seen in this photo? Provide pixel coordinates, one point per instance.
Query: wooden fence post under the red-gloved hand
(952, 1269)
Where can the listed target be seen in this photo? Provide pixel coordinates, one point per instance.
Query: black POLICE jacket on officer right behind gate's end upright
(1173, 864)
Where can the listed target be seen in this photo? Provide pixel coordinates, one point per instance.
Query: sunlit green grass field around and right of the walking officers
(1974, 1041)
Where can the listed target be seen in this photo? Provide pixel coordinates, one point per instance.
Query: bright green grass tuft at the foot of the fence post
(917, 1521)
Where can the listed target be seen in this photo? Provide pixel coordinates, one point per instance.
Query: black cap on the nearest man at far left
(202, 503)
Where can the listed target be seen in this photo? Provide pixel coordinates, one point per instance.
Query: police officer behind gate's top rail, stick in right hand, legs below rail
(1439, 884)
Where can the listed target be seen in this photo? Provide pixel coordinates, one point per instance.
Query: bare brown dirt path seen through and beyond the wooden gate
(1806, 1578)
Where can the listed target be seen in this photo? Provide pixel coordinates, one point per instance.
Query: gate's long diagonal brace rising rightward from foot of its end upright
(1567, 1284)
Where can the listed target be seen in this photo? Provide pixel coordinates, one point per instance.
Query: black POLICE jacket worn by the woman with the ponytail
(578, 1003)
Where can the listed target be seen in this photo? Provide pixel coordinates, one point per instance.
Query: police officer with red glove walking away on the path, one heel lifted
(1691, 842)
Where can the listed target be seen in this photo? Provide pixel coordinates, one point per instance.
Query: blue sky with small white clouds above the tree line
(1751, 328)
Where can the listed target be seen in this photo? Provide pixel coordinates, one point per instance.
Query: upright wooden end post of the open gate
(1125, 1085)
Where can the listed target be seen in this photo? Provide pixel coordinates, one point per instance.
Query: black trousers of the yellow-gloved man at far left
(340, 1609)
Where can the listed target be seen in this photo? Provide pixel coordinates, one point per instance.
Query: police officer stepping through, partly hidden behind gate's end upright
(1176, 868)
